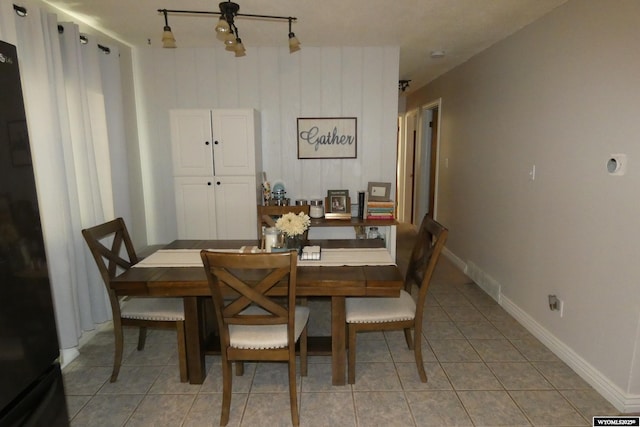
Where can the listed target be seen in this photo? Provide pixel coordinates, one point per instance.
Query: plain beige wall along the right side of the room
(562, 94)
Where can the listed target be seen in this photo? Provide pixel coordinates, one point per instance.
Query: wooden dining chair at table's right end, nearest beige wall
(402, 313)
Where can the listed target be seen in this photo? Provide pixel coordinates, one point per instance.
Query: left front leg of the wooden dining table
(195, 355)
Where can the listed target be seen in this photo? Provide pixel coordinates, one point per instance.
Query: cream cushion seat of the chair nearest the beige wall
(379, 310)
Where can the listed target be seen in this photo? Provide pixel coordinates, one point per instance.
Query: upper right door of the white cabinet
(234, 135)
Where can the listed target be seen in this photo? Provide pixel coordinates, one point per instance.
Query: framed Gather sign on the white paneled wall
(327, 137)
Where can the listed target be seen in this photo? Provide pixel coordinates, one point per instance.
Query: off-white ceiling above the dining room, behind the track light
(460, 28)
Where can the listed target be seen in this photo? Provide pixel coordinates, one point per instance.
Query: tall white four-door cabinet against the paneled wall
(216, 162)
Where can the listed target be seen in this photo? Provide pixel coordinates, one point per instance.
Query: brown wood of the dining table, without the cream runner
(334, 282)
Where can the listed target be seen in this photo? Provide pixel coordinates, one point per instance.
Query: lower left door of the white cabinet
(196, 207)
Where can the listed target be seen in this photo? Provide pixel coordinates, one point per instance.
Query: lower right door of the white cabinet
(236, 217)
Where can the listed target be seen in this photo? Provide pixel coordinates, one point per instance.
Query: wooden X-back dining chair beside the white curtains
(106, 242)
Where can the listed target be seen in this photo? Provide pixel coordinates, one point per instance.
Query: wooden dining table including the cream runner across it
(347, 268)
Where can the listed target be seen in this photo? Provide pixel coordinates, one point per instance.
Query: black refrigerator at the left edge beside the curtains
(31, 388)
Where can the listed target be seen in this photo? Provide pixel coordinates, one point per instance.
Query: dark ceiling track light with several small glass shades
(226, 29)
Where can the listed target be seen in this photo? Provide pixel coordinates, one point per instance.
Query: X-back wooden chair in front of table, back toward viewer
(254, 324)
